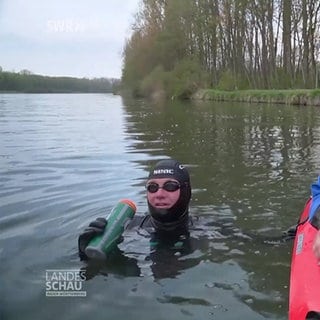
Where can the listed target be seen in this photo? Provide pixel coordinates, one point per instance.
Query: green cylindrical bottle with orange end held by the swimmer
(118, 218)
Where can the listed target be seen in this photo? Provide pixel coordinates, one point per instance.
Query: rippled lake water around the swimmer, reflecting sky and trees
(67, 159)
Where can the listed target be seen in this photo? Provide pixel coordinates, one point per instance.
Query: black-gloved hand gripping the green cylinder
(95, 228)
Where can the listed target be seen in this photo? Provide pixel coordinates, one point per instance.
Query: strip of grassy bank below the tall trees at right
(289, 97)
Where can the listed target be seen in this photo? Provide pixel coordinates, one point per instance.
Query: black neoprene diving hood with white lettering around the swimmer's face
(170, 168)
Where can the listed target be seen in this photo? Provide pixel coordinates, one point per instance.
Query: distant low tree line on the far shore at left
(25, 81)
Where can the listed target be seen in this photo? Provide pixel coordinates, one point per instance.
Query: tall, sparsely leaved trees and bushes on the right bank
(178, 46)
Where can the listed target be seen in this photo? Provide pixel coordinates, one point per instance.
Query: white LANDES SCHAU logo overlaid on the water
(65, 283)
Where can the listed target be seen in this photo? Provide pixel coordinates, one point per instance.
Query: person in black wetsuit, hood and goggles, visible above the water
(168, 194)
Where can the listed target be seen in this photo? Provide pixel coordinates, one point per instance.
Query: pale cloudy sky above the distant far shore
(78, 38)
